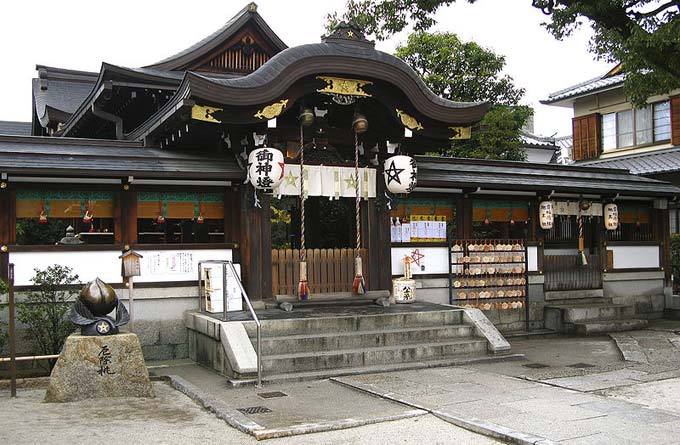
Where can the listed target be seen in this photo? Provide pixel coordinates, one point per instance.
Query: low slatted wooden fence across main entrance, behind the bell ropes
(328, 270)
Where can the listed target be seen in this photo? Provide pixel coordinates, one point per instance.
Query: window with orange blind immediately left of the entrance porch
(182, 217)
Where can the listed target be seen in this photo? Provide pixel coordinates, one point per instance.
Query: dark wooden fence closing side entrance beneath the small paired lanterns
(562, 272)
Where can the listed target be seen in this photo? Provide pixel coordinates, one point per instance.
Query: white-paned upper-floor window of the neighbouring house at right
(641, 126)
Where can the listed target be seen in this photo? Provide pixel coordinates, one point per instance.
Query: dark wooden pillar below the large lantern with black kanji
(255, 245)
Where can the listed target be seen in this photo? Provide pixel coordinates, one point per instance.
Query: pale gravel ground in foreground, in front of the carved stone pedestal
(172, 418)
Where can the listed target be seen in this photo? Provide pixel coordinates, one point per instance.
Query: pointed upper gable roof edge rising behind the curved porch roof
(219, 37)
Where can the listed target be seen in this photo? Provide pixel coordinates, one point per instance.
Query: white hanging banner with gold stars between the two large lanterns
(329, 181)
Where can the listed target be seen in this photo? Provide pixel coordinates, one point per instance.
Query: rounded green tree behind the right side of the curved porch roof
(465, 71)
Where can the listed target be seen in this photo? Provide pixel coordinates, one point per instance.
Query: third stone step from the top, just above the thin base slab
(352, 358)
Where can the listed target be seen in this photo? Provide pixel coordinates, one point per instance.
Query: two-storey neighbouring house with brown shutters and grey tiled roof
(609, 132)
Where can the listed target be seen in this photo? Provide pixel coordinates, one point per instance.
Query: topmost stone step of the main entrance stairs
(353, 323)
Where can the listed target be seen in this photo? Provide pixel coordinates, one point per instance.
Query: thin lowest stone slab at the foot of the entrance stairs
(327, 373)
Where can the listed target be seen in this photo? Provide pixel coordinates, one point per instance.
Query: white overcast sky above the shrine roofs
(80, 34)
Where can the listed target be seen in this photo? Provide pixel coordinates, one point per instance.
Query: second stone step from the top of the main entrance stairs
(325, 341)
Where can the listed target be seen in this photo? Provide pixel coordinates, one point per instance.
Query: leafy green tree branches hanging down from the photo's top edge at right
(643, 35)
